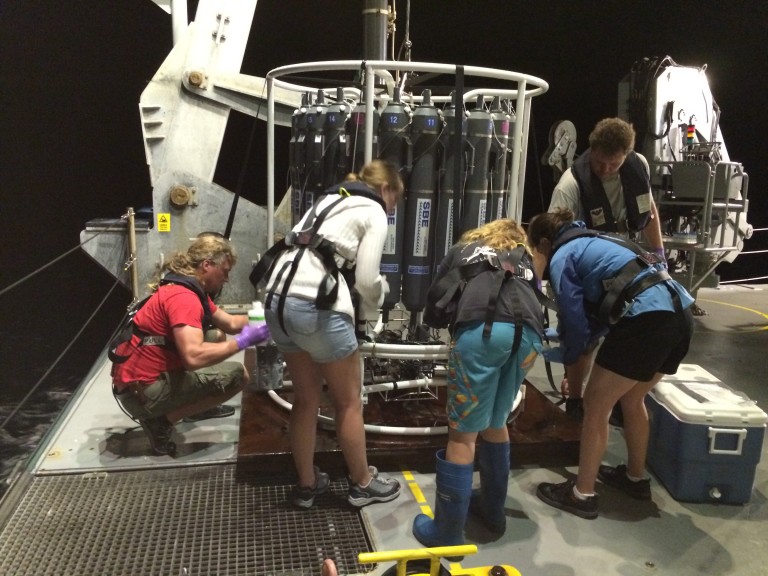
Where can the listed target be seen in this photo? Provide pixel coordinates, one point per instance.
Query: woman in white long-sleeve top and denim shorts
(311, 315)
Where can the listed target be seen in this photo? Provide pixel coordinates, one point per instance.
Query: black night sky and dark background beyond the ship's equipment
(71, 149)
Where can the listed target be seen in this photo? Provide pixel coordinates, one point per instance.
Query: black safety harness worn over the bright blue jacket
(621, 290)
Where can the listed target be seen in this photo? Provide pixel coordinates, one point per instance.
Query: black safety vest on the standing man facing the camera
(634, 183)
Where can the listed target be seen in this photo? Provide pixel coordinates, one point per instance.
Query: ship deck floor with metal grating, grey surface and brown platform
(93, 501)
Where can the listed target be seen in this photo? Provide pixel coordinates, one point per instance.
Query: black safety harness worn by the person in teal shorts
(444, 295)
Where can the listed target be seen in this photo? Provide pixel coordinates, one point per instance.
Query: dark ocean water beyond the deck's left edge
(43, 358)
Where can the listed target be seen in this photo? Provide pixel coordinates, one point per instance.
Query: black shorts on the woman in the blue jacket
(639, 346)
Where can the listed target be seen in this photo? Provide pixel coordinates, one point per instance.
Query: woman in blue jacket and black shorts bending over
(611, 289)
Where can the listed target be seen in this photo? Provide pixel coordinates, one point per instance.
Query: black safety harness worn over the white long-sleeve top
(309, 239)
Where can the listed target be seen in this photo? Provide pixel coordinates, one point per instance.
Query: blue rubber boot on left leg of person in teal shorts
(454, 488)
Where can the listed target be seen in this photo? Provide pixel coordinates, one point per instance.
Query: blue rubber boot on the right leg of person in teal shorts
(487, 504)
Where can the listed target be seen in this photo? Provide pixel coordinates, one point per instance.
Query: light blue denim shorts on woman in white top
(326, 335)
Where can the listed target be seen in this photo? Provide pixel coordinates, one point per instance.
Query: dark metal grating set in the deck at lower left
(193, 521)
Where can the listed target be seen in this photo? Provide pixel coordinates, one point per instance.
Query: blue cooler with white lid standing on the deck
(705, 439)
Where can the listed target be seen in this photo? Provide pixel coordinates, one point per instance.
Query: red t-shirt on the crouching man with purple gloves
(172, 305)
